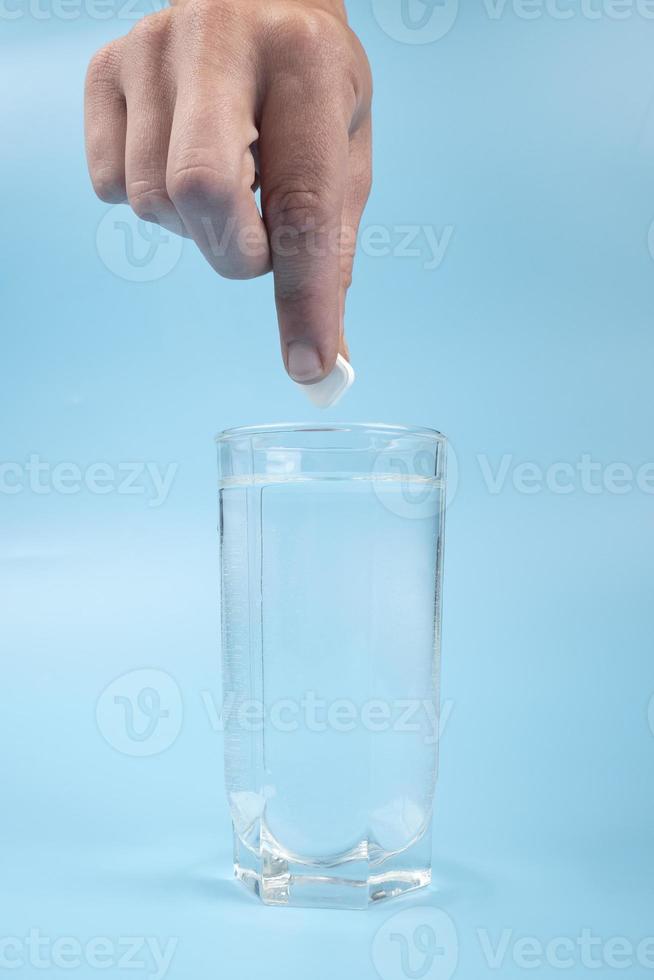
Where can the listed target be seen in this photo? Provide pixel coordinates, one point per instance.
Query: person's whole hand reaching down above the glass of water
(205, 101)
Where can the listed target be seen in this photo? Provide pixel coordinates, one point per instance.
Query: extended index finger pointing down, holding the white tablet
(304, 146)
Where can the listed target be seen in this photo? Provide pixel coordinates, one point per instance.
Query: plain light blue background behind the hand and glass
(533, 139)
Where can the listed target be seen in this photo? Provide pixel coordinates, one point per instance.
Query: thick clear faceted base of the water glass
(353, 883)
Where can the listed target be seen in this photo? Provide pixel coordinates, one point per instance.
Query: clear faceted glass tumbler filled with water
(331, 550)
